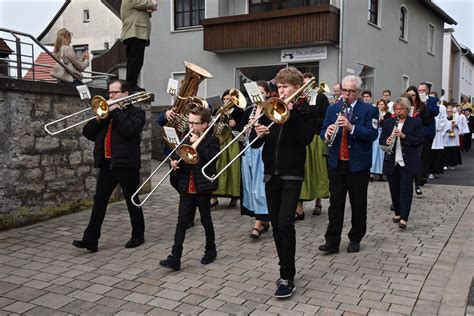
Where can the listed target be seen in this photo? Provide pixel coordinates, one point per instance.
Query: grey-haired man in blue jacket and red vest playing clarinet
(350, 159)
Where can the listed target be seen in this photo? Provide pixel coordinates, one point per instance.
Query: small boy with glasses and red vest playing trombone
(195, 190)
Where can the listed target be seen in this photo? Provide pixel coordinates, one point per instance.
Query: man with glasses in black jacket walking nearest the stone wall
(117, 155)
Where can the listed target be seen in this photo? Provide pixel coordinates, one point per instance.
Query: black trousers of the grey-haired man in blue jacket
(341, 181)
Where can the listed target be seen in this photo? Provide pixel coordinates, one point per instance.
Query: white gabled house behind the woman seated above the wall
(92, 23)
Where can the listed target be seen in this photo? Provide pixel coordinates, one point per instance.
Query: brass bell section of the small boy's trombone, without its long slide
(188, 152)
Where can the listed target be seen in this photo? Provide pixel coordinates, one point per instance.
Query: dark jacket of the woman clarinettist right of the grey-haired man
(413, 129)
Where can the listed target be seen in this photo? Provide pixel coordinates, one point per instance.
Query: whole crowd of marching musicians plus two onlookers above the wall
(329, 147)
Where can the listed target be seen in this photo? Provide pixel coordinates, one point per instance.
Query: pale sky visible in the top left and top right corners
(35, 16)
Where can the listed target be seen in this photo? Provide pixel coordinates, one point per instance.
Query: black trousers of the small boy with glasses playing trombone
(187, 210)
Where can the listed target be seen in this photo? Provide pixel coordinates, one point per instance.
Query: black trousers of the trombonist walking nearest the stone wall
(128, 179)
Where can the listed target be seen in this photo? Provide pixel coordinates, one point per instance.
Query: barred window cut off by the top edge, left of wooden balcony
(188, 13)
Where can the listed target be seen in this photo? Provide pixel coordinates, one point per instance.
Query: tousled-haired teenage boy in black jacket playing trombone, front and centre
(284, 155)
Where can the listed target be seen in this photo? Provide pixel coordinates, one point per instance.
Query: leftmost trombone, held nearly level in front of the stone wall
(101, 109)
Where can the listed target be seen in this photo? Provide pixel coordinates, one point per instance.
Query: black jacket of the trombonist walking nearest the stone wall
(127, 126)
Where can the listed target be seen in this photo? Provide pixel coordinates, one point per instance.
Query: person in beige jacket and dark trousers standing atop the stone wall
(136, 28)
